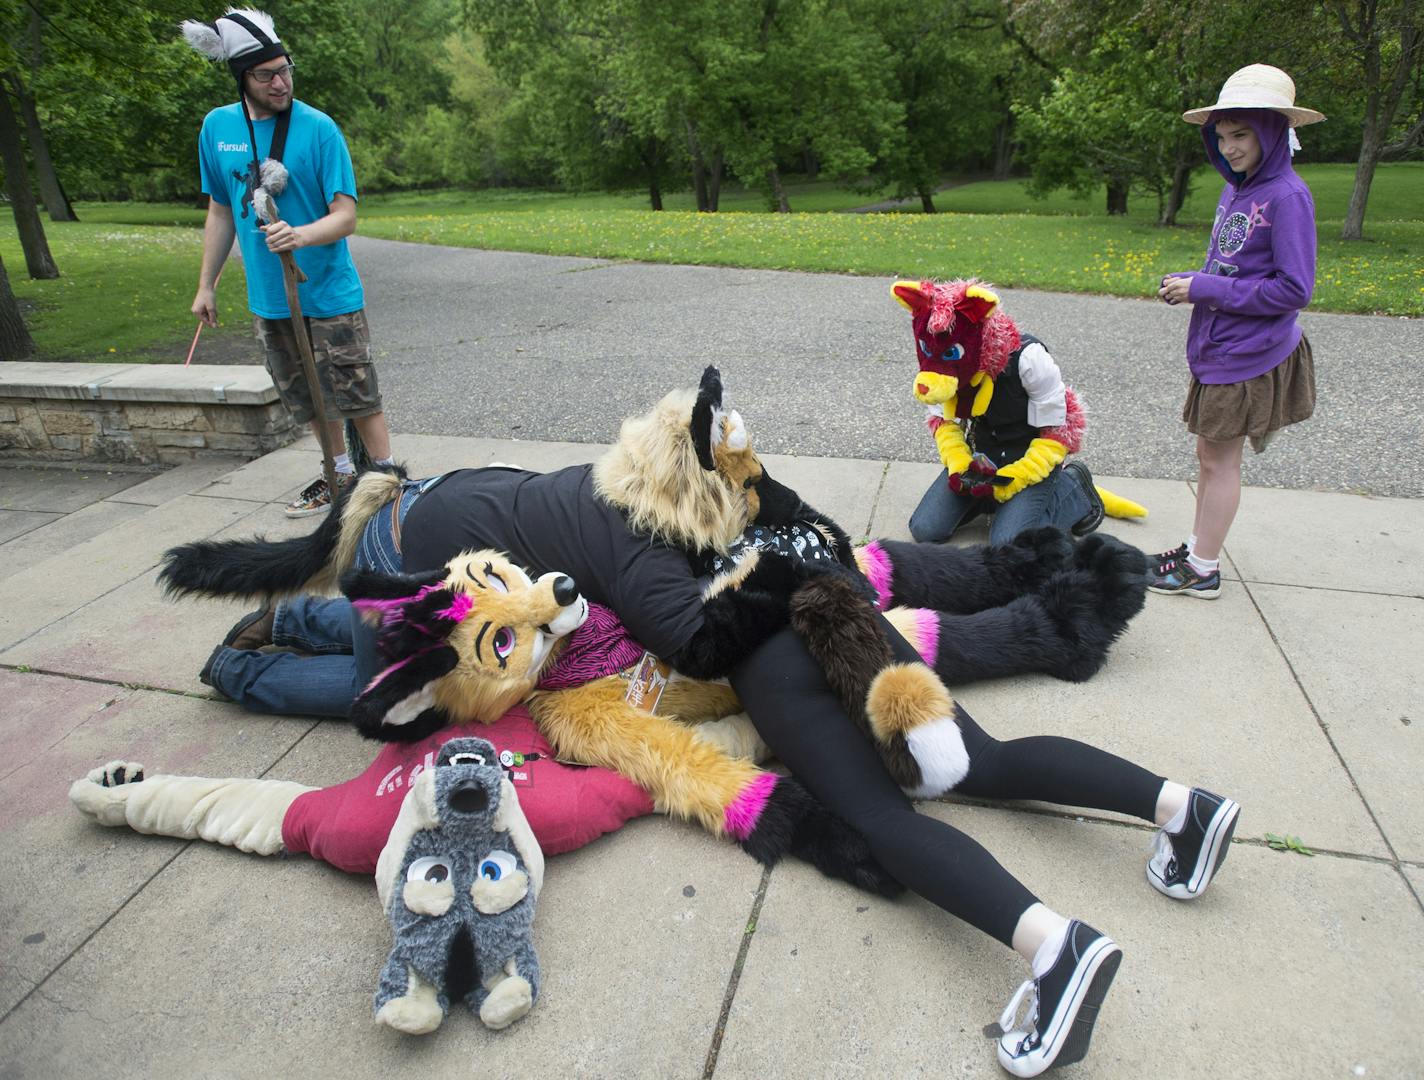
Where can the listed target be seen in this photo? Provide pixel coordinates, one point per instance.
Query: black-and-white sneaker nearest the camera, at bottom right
(1066, 1004)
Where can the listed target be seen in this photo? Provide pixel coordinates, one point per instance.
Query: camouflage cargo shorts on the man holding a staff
(341, 347)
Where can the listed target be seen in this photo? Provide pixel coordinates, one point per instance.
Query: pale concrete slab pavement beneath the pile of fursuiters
(667, 954)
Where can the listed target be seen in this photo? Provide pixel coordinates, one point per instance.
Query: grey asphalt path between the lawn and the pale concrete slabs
(532, 347)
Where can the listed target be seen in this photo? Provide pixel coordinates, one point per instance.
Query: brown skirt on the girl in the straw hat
(1258, 407)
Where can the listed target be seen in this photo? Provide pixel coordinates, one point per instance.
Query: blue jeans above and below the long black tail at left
(342, 648)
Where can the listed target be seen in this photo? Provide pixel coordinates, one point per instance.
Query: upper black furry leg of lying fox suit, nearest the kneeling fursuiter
(972, 579)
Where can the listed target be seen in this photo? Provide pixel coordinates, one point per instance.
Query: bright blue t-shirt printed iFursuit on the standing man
(318, 167)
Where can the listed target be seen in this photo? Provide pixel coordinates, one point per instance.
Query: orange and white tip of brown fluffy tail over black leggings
(913, 716)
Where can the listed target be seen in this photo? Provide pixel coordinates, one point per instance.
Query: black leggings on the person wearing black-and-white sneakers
(805, 726)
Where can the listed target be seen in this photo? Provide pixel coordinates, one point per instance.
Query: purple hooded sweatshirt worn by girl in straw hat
(1261, 266)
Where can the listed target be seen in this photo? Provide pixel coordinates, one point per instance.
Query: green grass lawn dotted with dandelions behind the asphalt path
(129, 276)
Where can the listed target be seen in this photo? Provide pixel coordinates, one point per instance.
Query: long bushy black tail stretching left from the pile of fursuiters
(256, 568)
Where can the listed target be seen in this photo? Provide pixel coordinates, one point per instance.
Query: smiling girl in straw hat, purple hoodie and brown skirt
(1252, 373)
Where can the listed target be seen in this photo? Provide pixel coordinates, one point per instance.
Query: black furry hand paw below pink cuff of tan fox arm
(794, 823)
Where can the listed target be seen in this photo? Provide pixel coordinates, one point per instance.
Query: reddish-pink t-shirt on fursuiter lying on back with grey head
(567, 806)
